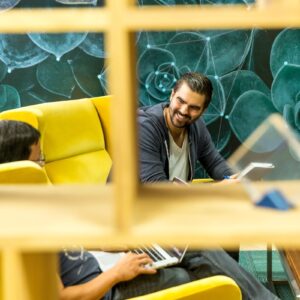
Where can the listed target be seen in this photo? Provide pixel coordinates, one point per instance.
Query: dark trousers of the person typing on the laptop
(195, 265)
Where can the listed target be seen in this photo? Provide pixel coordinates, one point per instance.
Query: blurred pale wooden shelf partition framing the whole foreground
(37, 221)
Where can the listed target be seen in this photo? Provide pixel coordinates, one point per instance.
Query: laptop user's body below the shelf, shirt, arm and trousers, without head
(81, 278)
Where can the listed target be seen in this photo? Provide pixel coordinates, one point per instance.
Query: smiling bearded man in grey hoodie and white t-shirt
(172, 136)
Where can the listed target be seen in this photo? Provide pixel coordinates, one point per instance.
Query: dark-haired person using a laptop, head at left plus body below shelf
(80, 276)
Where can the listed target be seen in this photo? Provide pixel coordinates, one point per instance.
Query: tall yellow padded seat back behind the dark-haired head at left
(72, 138)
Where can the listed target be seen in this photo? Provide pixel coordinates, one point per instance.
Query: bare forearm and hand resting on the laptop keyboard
(130, 266)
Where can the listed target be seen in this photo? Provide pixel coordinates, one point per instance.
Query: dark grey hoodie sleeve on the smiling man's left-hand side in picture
(151, 153)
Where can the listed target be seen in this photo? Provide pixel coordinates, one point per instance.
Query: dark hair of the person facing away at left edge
(16, 138)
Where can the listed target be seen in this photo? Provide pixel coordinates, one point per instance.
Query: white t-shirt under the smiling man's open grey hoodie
(178, 160)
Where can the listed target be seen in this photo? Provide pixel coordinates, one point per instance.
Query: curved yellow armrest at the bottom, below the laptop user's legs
(212, 288)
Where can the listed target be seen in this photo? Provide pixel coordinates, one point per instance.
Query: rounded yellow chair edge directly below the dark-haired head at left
(24, 171)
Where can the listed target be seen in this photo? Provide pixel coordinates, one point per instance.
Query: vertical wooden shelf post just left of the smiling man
(122, 84)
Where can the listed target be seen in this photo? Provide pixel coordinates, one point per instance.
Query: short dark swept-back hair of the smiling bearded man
(198, 83)
